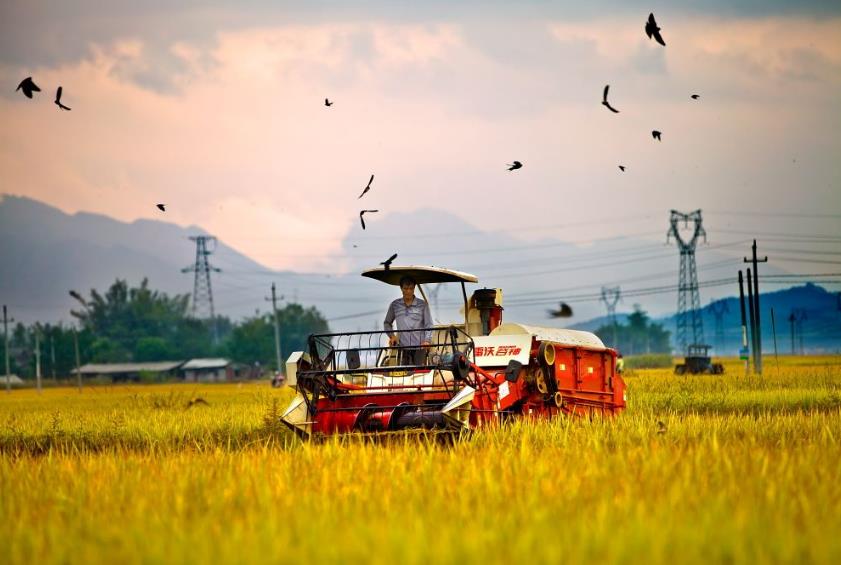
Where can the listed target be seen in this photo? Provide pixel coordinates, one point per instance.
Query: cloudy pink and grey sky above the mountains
(216, 109)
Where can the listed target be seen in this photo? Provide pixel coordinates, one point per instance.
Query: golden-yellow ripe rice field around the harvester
(697, 469)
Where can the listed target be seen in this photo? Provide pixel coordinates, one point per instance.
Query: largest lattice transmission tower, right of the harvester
(690, 327)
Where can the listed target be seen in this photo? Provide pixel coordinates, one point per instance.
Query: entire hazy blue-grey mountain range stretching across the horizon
(45, 252)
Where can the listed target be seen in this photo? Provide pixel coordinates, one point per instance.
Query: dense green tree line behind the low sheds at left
(135, 324)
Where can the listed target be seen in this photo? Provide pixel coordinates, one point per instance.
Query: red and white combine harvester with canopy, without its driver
(475, 374)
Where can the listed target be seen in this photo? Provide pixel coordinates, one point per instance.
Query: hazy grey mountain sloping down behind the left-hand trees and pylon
(45, 253)
